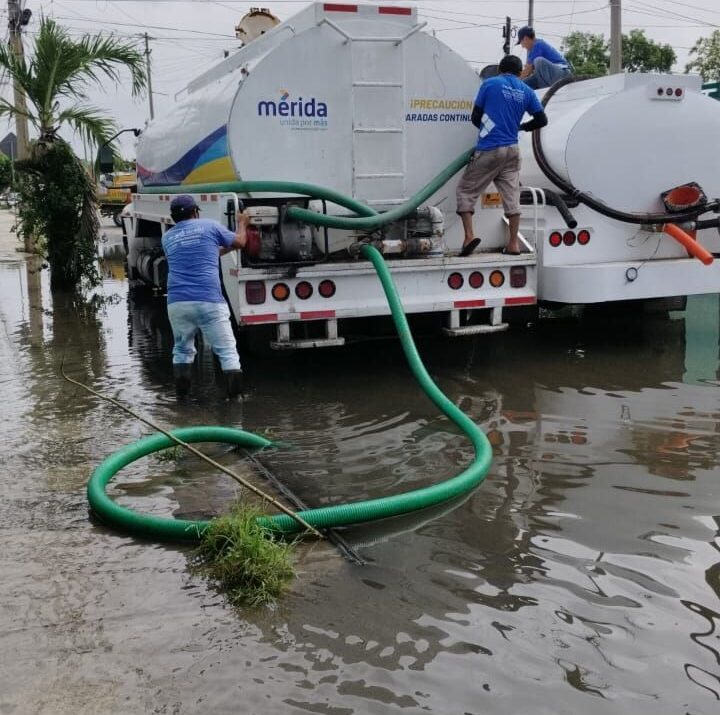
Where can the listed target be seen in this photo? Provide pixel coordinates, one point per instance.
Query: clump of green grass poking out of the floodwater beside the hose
(243, 559)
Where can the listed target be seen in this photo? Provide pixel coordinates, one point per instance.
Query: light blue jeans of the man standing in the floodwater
(213, 320)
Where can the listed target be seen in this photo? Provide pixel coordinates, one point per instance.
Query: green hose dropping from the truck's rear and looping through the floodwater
(168, 529)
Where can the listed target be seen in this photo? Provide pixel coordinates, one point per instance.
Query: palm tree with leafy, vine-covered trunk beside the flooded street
(59, 196)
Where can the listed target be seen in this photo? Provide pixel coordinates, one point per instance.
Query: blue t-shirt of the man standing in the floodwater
(192, 248)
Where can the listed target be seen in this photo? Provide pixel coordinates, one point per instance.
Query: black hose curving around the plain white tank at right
(593, 203)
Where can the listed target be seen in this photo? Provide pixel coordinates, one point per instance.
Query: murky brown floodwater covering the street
(583, 576)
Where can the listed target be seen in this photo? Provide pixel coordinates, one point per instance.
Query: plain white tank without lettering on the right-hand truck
(626, 138)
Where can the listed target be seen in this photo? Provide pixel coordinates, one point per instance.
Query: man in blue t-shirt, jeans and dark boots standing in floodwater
(195, 299)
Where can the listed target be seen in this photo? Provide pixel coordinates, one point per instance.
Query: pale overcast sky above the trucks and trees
(189, 37)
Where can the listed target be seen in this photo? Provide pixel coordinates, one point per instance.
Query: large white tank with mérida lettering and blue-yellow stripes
(353, 98)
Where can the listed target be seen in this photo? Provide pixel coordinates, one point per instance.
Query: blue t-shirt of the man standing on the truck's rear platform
(504, 100)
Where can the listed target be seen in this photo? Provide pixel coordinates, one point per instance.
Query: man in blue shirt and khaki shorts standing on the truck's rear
(500, 105)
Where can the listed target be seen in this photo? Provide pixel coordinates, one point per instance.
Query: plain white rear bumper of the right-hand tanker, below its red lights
(627, 280)
